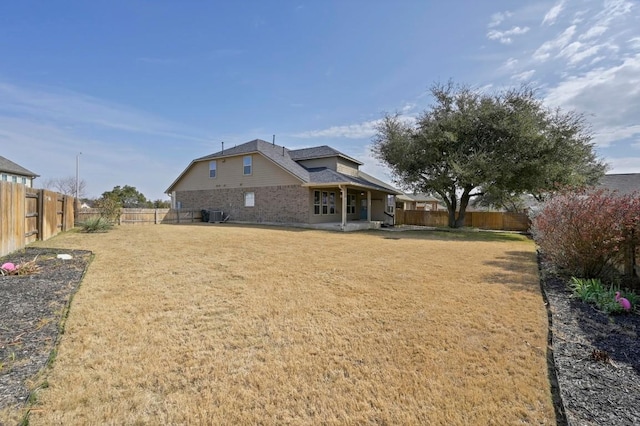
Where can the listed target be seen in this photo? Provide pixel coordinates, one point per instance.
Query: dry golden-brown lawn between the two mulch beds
(200, 324)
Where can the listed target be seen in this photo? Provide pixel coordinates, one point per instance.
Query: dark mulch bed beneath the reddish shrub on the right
(596, 360)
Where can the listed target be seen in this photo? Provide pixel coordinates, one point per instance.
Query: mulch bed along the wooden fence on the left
(32, 308)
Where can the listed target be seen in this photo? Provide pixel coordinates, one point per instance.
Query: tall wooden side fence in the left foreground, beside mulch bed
(27, 215)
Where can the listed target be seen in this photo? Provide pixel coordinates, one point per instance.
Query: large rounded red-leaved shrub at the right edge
(588, 233)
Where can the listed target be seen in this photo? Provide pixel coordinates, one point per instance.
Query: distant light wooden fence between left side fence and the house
(146, 216)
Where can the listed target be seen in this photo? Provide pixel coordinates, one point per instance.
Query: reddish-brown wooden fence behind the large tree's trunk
(502, 221)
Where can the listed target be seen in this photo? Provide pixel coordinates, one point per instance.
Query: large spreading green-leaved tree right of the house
(472, 144)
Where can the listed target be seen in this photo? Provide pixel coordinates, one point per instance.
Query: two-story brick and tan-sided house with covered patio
(262, 182)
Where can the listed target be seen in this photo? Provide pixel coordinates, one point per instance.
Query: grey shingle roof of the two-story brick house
(287, 159)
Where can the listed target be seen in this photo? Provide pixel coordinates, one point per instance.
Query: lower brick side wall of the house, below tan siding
(282, 204)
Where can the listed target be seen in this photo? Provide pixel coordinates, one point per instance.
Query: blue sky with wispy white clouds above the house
(143, 87)
